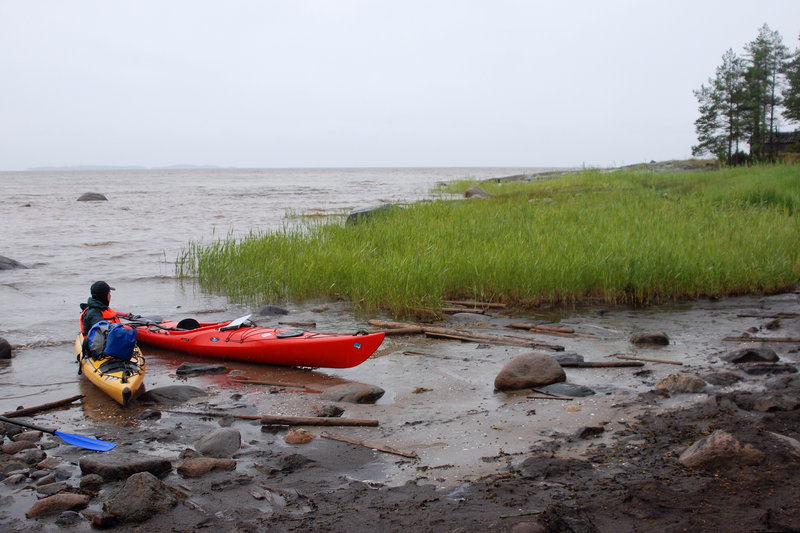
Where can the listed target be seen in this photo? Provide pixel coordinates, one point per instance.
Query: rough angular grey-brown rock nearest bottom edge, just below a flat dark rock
(143, 496)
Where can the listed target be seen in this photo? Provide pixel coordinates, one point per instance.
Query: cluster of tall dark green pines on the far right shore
(742, 105)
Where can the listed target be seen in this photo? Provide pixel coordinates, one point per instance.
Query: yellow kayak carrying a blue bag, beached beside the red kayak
(118, 378)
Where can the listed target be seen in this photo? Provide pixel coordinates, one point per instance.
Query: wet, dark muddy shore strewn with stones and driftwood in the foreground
(607, 461)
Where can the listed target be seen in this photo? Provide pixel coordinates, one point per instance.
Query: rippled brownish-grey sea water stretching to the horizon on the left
(133, 239)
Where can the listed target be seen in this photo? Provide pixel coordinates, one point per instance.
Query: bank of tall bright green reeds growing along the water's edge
(633, 237)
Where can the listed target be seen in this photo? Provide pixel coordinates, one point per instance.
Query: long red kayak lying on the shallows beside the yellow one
(241, 340)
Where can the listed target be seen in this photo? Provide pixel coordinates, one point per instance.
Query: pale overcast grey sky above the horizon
(337, 83)
